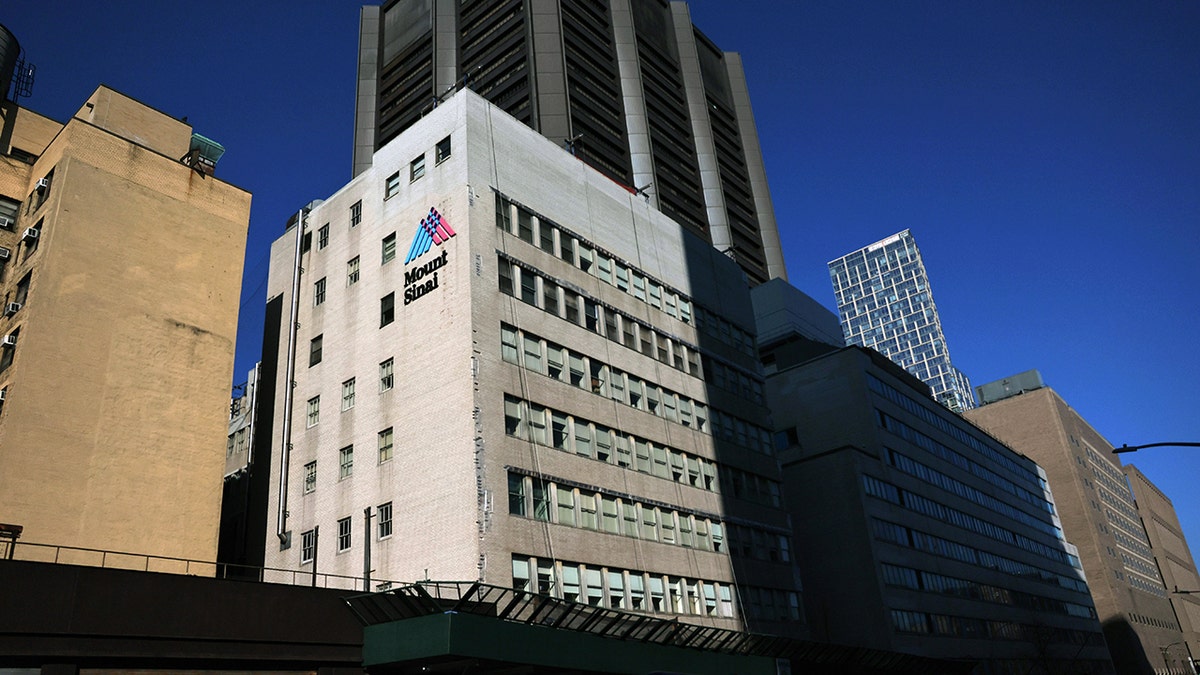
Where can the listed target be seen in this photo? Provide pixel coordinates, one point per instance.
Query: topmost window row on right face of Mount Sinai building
(580, 253)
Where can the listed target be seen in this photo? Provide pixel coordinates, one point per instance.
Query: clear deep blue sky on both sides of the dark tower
(1046, 157)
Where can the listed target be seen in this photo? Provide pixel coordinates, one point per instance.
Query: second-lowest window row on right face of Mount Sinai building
(555, 501)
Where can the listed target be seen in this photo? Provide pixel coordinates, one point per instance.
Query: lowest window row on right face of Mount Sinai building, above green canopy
(646, 592)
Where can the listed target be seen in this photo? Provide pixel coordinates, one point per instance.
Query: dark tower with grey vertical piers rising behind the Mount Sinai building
(632, 88)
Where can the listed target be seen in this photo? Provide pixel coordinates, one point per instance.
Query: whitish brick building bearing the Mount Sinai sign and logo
(508, 368)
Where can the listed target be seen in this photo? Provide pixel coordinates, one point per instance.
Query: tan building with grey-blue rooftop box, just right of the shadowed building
(1099, 513)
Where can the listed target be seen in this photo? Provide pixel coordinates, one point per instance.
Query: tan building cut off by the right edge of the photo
(1175, 565)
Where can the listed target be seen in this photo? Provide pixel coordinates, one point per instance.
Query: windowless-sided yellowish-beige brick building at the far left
(121, 306)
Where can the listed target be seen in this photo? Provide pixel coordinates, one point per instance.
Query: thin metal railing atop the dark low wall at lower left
(145, 563)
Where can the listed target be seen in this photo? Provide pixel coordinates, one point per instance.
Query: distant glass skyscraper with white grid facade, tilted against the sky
(886, 304)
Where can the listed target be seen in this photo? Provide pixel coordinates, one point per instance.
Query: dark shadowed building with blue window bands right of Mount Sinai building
(920, 533)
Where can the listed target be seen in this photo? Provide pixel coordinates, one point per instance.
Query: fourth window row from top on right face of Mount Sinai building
(547, 427)
